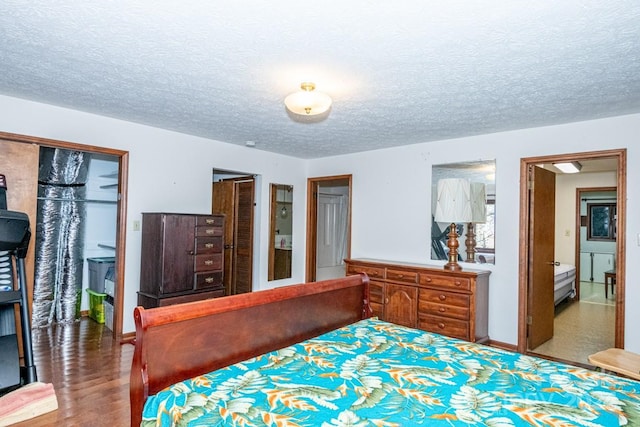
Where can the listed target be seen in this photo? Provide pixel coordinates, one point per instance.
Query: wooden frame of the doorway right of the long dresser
(620, 155)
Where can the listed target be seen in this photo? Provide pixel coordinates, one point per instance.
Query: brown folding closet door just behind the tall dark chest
(235, 199)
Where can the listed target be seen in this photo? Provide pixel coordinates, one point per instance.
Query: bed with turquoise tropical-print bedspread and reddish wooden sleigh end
(312, 355)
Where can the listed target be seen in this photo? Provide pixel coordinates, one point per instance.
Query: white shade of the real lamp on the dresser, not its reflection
(454, 201)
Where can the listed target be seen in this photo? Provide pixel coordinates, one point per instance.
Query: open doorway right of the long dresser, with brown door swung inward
(549, 241)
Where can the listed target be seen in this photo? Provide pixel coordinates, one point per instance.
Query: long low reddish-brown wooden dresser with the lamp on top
(455, 304)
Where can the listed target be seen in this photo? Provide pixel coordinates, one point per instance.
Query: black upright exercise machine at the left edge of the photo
(14, 242)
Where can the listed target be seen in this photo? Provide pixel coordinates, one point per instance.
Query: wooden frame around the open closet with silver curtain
(121, 221)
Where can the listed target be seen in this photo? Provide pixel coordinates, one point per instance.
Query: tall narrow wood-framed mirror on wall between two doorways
(280, 235)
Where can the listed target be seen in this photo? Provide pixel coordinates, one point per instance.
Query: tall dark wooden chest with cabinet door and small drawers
(182, 258)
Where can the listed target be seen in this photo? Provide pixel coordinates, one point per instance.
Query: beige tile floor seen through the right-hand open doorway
(584, 327)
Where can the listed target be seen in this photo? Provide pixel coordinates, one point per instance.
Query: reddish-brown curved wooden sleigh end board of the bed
(178, 342)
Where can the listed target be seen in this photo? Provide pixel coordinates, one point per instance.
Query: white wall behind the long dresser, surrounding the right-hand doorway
(391, 208)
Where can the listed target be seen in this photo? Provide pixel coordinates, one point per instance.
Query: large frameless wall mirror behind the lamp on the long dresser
(483, 251)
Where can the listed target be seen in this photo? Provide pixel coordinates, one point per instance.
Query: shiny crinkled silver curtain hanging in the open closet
(61, 212)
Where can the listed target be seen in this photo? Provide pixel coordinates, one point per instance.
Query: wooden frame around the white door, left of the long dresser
(312, 220)
